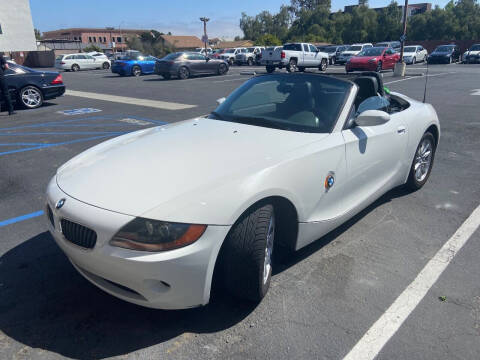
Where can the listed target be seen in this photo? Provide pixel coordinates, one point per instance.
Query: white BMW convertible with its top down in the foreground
(152, 216)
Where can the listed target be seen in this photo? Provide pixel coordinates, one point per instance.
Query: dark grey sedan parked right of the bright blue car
(186, 64)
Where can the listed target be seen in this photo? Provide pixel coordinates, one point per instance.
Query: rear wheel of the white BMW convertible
(418, 175)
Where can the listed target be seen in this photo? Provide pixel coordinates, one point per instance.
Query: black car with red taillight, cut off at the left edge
(30, 88)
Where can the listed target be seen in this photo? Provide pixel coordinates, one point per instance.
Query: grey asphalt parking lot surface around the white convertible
(321, 303)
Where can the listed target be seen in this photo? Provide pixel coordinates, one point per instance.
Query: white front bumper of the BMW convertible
(176, 279)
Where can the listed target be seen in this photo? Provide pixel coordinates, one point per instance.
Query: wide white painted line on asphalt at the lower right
(370, 345)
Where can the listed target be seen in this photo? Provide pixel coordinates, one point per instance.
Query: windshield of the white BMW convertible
(300, 102)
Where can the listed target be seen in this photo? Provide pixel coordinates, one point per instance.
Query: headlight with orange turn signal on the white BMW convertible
(153, 235)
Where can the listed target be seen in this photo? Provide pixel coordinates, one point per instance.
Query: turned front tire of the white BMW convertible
(246, 255)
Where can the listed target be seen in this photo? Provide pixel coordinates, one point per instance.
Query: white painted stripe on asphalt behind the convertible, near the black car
(129, 100)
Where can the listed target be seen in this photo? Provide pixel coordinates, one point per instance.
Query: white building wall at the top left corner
(16, 26)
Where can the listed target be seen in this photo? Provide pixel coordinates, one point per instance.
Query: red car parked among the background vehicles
(373, 59)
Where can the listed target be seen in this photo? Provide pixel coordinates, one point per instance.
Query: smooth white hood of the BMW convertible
(170, 166)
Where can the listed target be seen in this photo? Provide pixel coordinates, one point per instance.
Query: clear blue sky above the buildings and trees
(181, 17)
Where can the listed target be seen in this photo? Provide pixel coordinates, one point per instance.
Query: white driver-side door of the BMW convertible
(374, 160)
